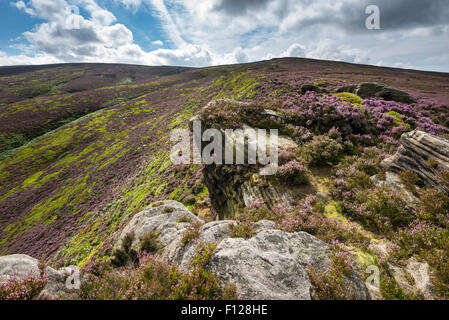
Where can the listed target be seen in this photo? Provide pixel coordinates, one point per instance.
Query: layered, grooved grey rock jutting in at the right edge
(418, 151)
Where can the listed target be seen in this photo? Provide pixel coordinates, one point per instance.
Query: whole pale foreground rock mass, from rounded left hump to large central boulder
(271, 265)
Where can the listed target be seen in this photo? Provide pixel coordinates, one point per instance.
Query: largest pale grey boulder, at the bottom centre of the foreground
(272, 265)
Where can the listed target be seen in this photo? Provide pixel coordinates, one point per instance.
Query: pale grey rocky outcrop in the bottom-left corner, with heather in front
(60, 283)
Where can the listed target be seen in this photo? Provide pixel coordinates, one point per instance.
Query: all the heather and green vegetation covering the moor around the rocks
(83, 151)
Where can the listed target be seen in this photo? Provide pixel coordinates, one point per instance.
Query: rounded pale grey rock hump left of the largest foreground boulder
(168, 218)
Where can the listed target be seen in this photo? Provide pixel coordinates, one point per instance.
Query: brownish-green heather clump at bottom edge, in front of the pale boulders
(152, 279)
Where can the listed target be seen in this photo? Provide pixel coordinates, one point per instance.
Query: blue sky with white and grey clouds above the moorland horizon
(412, 34)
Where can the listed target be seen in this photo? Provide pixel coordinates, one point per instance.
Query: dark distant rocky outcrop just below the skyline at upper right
(369, 90)
